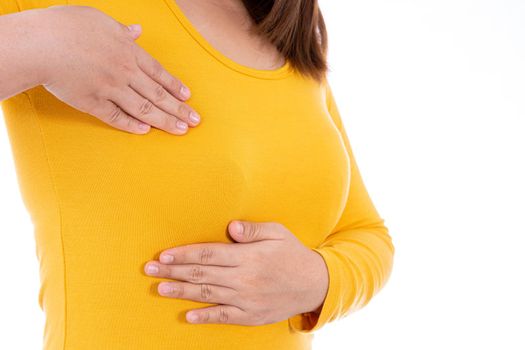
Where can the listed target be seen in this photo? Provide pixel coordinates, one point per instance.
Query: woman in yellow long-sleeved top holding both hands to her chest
(135, 229)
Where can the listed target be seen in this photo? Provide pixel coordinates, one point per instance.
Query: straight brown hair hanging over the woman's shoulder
(297, 29)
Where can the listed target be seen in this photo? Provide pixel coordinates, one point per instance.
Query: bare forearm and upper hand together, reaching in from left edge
(118, 82)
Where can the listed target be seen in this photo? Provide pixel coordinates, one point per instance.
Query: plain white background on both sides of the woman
(432, 94)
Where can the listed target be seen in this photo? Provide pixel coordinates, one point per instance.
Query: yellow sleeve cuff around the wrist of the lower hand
(309, 322)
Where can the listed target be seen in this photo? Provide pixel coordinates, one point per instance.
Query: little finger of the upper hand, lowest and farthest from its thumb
(113, 115)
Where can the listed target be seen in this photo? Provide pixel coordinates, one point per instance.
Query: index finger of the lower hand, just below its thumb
(222, 254)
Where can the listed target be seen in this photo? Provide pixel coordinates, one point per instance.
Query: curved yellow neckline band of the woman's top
(277, 73)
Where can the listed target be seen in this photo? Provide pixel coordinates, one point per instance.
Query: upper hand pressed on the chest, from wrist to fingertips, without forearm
(93, 64)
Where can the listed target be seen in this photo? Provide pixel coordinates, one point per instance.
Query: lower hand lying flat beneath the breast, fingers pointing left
(268, 277)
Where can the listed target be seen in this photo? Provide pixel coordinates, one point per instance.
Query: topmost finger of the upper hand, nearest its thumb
(154, 69)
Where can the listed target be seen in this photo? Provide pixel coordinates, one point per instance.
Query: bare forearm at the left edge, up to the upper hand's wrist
(22, 52)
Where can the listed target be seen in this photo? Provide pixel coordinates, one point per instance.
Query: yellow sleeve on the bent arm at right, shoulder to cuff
(358, 253)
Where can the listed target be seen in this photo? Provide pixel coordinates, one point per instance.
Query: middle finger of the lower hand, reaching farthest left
(194, 273)
